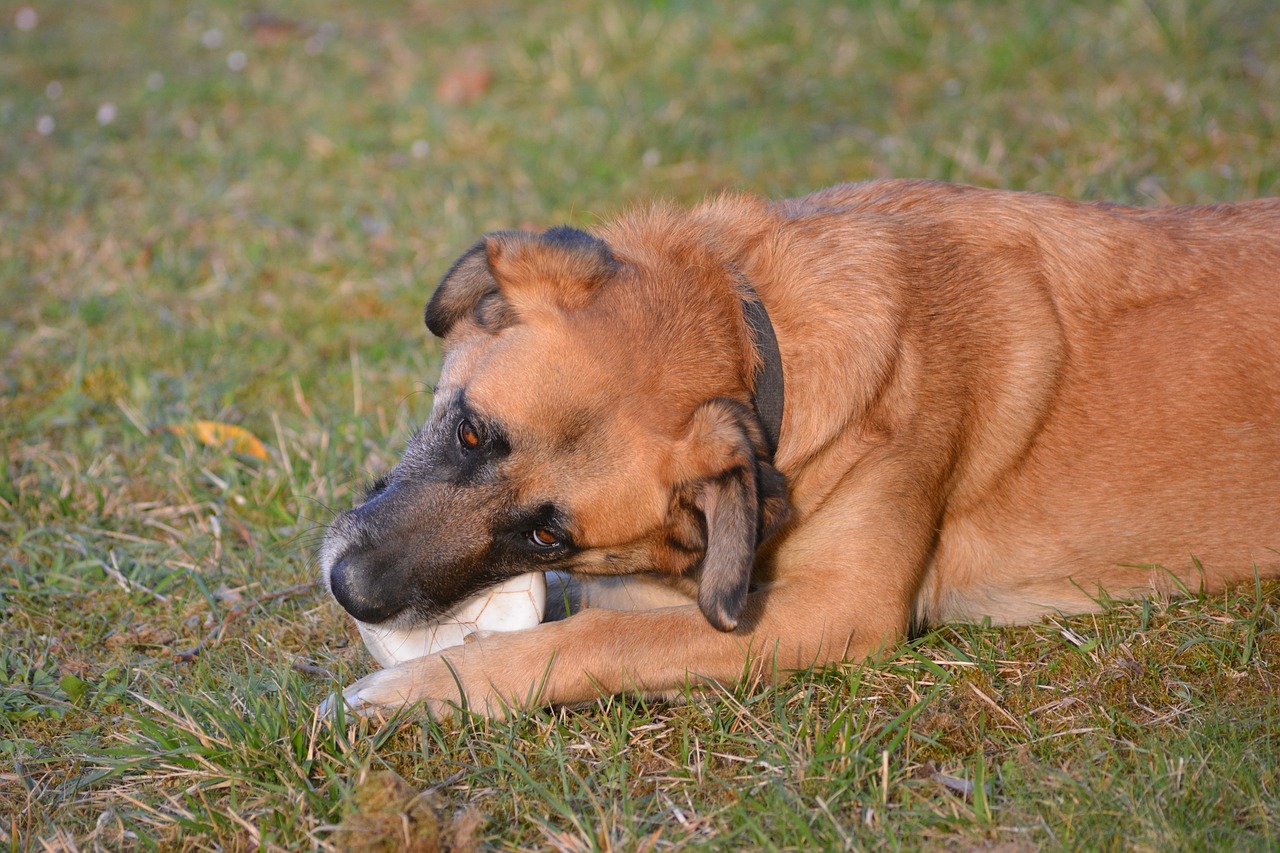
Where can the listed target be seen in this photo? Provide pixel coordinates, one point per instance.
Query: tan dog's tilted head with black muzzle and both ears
(592, 417)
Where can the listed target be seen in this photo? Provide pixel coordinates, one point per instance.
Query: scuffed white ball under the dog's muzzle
(511, 606)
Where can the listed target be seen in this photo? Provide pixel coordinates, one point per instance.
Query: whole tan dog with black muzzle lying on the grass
(996, 405)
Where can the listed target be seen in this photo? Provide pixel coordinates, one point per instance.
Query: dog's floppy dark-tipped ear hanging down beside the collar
(743, 500)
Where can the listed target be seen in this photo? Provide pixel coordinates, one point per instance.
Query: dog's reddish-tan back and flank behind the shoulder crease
(1158, 458)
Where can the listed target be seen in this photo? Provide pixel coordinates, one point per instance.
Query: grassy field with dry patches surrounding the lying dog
(216, 217)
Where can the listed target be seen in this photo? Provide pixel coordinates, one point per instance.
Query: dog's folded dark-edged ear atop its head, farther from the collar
(563, 264)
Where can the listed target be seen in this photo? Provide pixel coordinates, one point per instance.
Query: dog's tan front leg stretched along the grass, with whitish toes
(844, 589)
